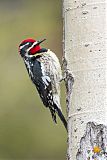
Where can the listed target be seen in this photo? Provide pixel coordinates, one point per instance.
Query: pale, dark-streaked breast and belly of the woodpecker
(51, 72)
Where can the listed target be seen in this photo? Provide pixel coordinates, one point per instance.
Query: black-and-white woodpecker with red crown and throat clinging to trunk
(44, 70)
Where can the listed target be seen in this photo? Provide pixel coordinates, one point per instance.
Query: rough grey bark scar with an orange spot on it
(93, 145)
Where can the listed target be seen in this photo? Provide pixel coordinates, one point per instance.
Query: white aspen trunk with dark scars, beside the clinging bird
(85, 40)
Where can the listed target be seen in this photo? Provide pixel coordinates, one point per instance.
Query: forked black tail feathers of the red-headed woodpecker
(61, 116)
